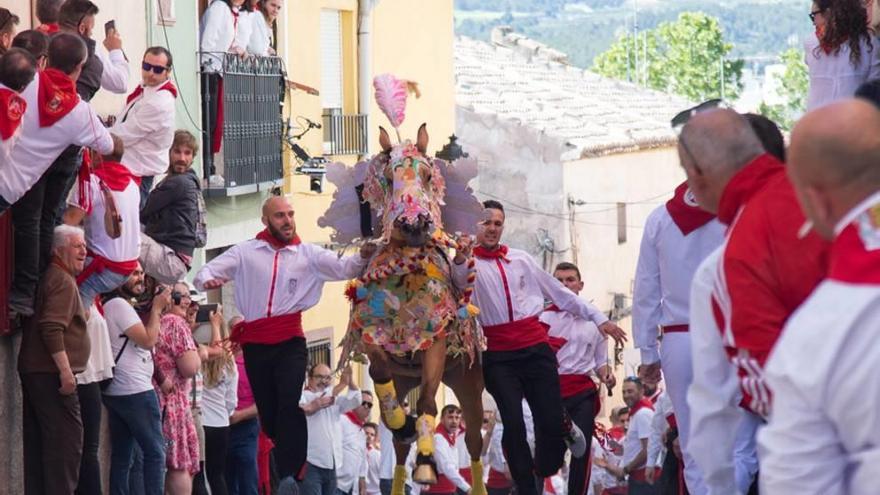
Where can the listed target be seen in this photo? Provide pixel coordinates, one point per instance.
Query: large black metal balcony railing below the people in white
(252, 96)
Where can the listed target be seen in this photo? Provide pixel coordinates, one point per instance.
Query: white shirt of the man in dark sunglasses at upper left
(146, 127)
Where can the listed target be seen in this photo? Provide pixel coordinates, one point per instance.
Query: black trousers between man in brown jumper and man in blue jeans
(90, 411)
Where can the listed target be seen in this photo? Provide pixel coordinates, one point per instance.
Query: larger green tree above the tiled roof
(687, 57)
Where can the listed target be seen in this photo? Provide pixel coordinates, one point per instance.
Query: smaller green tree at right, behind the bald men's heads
(794, 83)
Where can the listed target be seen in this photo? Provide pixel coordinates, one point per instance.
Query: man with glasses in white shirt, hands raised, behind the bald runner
(323, 408)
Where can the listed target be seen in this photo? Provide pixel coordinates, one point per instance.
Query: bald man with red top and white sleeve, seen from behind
(743, 293)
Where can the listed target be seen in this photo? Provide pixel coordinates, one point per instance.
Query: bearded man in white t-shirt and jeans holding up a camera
(132, 405)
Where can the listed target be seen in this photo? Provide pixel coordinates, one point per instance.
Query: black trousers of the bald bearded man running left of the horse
(276, 373)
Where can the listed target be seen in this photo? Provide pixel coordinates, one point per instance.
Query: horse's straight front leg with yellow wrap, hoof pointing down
(433, 365)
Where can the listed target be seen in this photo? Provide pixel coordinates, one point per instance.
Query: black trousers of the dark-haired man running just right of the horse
(532, 374)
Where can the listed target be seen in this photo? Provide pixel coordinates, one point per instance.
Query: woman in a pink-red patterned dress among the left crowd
(178, 358)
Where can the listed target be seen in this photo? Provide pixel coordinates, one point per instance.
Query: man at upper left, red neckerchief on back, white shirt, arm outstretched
(56, 118)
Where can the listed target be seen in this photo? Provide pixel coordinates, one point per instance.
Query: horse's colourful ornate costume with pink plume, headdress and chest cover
(405, 299)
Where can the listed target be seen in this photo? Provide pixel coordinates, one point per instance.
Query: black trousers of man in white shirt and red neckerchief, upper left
(34, 217)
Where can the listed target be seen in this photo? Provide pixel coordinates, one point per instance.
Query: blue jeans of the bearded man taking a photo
(136, 419)
